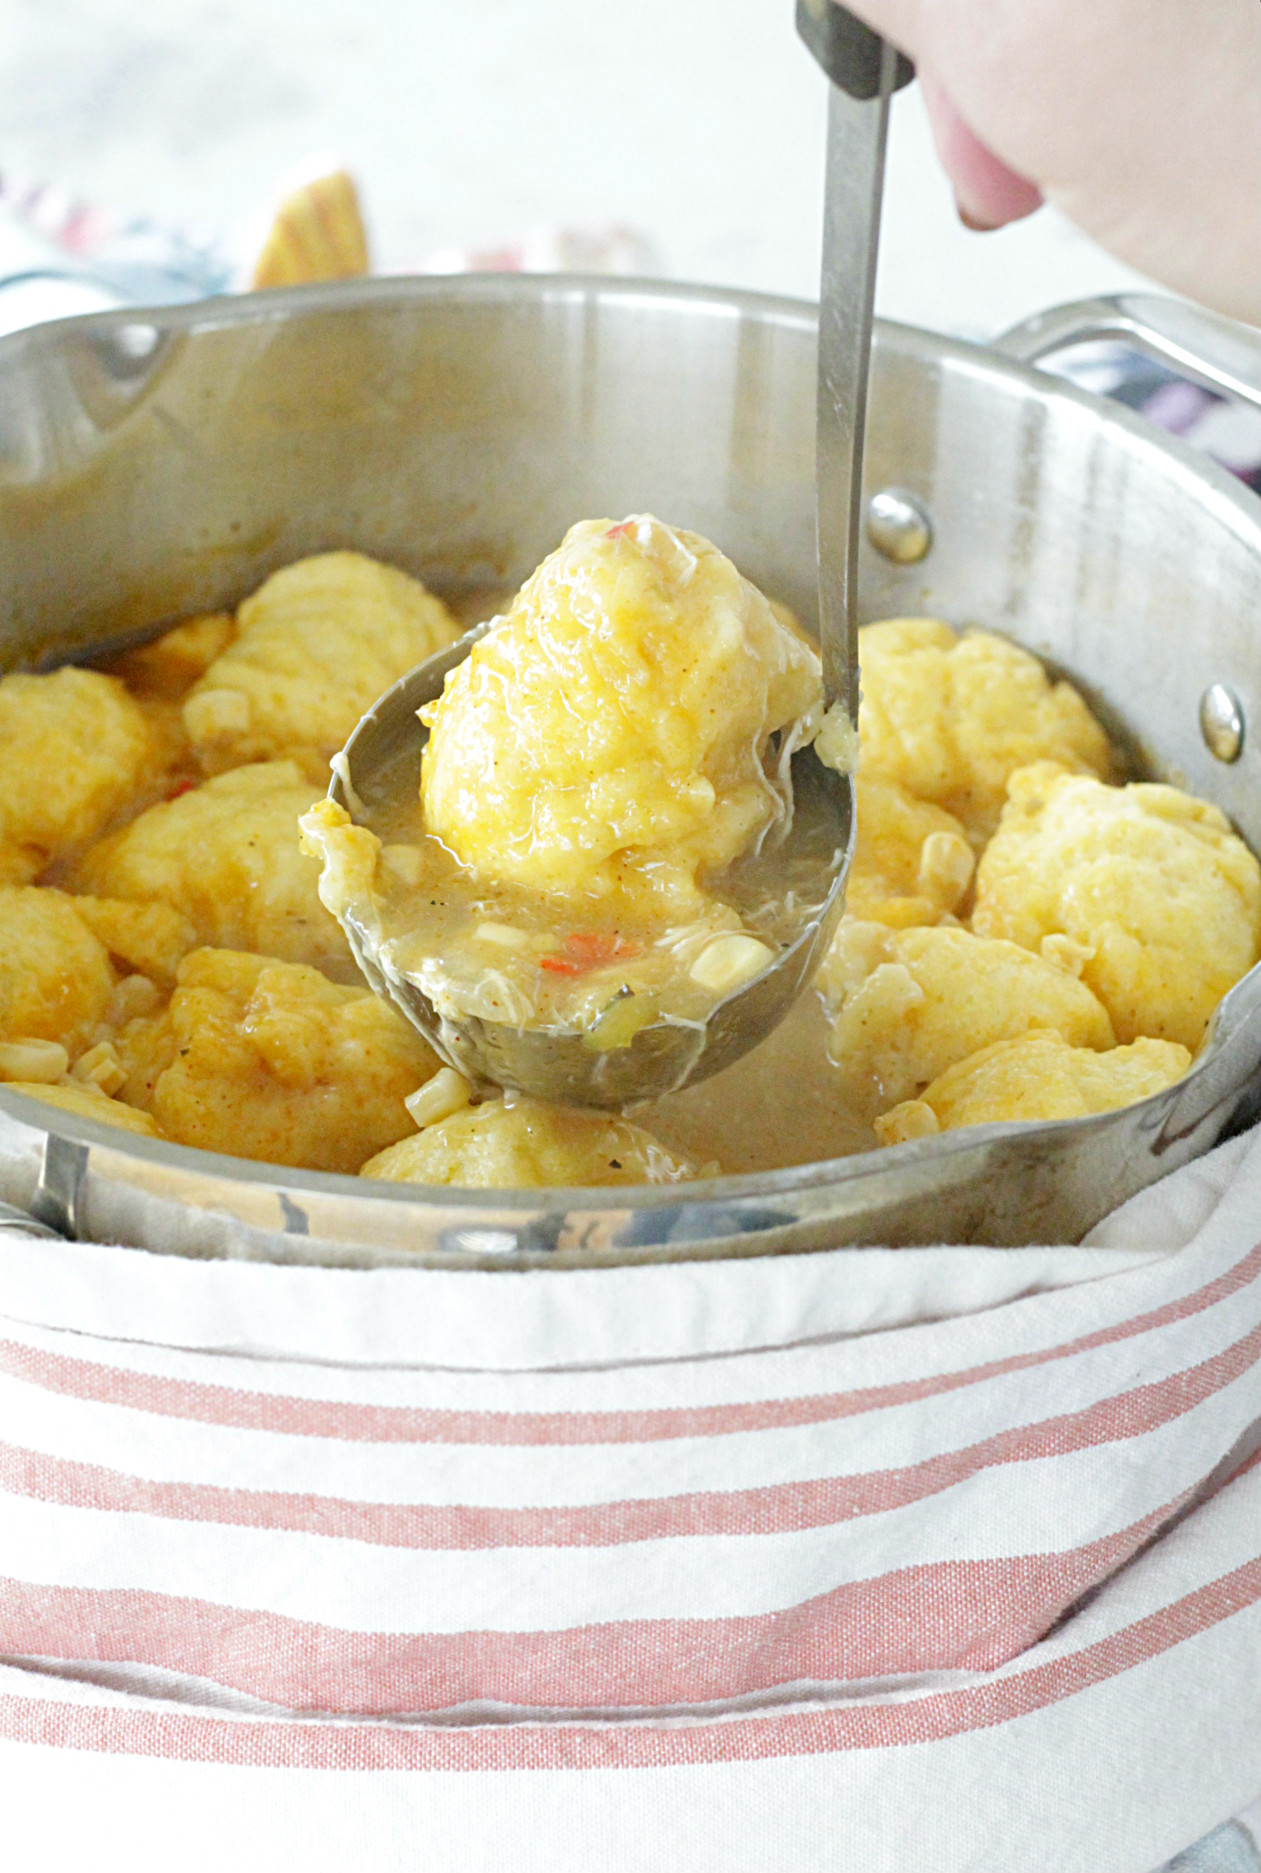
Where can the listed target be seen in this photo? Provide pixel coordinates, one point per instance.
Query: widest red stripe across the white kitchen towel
(970, 1615)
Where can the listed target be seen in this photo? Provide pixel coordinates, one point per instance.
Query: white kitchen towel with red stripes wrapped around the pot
(900, 1561)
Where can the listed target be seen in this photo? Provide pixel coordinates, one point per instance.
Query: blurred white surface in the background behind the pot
(473, 123)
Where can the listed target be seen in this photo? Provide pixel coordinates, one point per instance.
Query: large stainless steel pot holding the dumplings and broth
(160, 464)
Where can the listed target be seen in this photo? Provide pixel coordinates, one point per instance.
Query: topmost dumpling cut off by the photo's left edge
(74, 750)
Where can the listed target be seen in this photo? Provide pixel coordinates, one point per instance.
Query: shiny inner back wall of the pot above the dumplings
(158, 467)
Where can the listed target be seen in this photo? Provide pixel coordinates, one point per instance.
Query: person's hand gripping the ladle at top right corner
(1138, 119)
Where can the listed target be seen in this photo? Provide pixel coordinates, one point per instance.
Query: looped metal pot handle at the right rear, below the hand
(1200, 346)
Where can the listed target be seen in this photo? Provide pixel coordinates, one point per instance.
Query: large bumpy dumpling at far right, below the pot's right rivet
(1146, 887)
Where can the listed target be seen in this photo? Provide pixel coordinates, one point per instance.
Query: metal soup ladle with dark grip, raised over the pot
(381, 761)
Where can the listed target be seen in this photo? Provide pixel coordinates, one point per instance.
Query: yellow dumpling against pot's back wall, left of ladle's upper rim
(314, 649)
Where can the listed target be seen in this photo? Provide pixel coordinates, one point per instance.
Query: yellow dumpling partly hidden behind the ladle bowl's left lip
(226, 857)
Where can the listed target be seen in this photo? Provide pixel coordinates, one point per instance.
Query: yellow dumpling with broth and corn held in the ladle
(602, 799)
